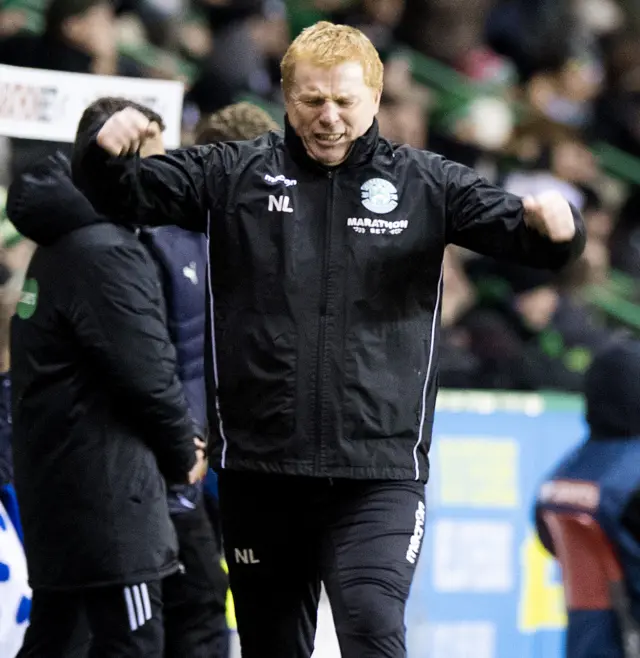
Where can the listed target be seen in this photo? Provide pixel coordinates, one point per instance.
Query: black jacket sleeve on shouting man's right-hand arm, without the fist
(487, 219)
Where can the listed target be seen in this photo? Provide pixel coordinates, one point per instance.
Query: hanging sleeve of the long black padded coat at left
(117, 318)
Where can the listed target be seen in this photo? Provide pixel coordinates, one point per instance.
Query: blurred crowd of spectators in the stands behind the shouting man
(534, 94)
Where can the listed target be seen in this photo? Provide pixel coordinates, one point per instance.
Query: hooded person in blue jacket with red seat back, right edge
(588, 510)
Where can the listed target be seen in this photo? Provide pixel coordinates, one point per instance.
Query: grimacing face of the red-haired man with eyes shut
(329, 108)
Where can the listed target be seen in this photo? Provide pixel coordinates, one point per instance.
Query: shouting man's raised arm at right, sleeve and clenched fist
(544, 232)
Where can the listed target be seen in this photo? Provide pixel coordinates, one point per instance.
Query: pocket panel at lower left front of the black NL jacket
(257, 358)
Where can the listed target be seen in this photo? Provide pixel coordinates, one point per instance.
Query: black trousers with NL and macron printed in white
(284, 535)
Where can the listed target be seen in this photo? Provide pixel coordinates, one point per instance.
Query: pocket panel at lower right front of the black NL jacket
(385, 371)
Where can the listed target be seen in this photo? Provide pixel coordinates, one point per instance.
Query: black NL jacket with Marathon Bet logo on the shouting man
(325, 288)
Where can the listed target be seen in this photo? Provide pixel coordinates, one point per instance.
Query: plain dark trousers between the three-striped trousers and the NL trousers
(194, 599)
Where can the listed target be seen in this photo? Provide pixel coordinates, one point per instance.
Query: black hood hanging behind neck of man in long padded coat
(44, 205)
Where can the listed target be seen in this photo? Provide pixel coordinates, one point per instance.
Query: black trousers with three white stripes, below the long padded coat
(123, 622)
